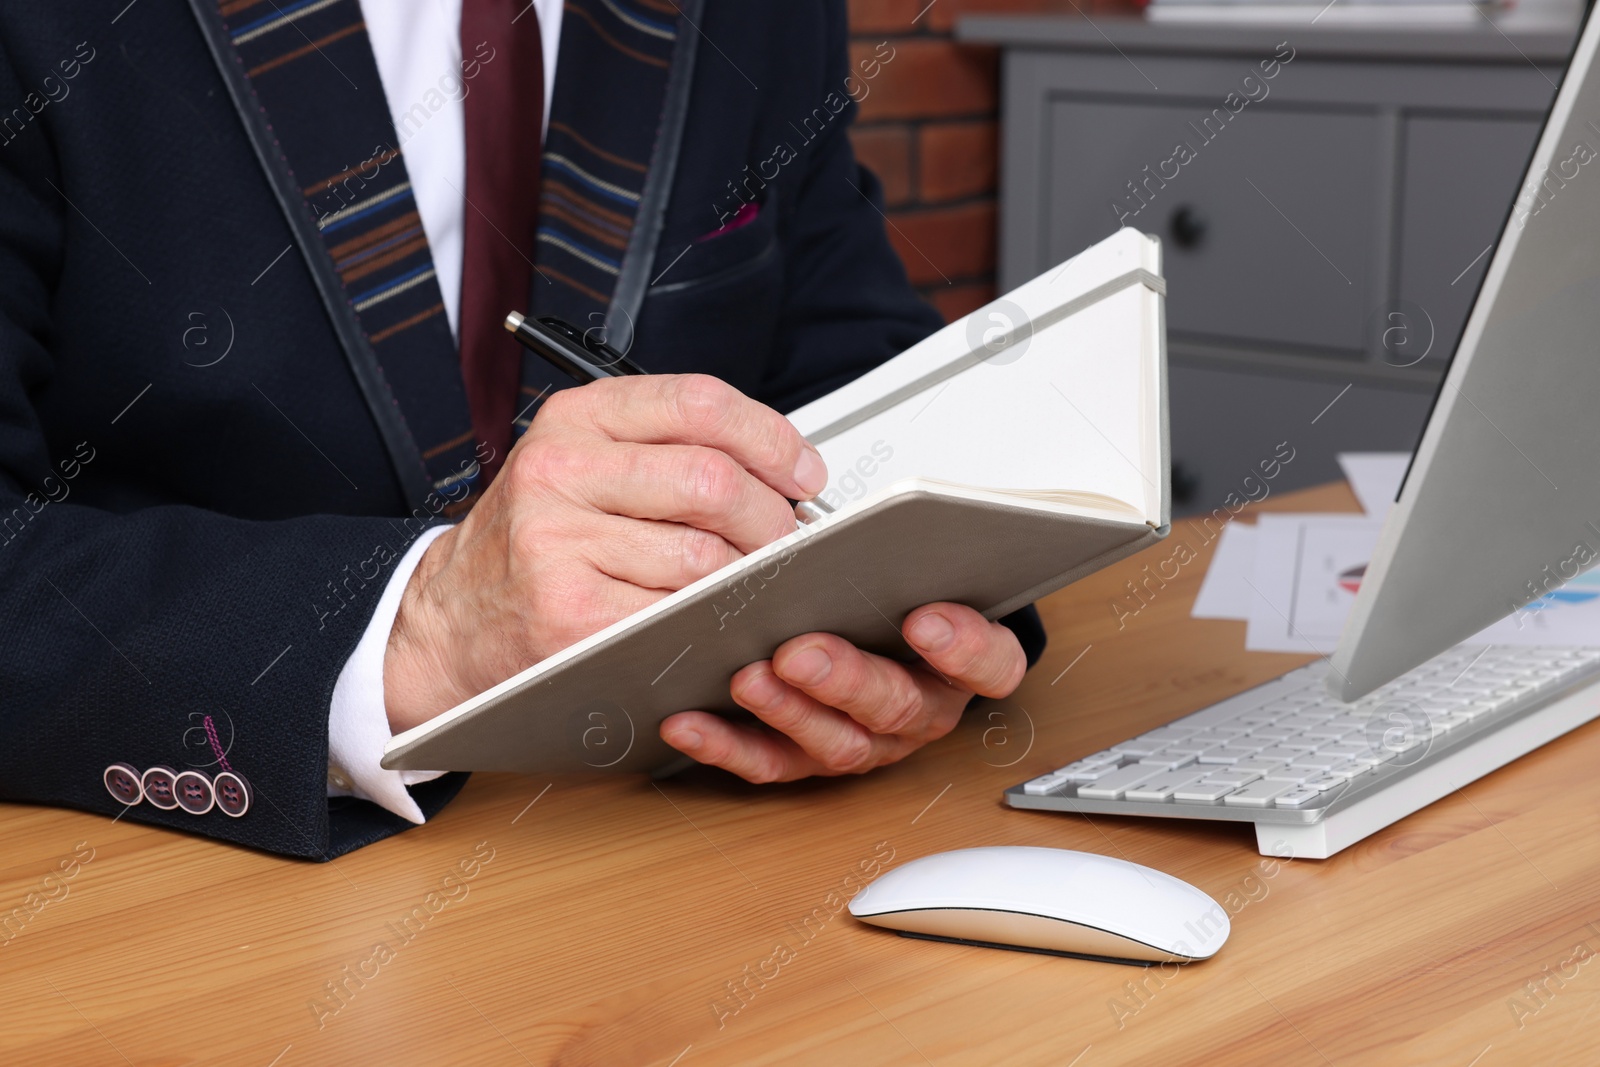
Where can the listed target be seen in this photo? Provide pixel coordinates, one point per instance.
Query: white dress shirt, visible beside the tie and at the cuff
(418, 50)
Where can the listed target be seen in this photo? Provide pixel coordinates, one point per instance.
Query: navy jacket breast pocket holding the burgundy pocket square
(714, 310)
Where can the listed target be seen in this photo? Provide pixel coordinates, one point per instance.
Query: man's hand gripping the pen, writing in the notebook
(620, 494)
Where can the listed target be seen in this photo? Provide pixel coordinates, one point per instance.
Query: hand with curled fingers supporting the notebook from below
(834, 709)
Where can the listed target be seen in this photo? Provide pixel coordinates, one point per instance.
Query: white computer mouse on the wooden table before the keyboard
(1047, 900)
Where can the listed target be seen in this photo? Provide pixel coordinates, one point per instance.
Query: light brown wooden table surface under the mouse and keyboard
(604, 921)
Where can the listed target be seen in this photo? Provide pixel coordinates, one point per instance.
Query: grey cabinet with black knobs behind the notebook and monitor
(1324, 228)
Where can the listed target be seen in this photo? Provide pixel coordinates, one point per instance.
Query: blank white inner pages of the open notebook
(1066, 415)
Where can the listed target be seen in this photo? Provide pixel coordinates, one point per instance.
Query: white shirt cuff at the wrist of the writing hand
(359, 721)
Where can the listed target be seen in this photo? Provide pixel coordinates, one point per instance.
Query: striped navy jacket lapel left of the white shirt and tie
(306, 86)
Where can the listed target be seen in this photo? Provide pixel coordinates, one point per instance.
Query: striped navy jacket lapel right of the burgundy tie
(610, 156)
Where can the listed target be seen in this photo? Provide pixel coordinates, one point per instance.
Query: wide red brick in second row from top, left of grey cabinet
(929, 79)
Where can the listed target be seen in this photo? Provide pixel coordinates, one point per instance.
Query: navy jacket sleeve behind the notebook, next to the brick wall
(849, 303)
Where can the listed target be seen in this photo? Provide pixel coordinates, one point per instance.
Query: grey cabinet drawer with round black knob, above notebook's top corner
(1270, 230)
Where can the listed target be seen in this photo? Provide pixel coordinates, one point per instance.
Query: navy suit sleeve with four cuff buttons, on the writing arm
(124, 629)
